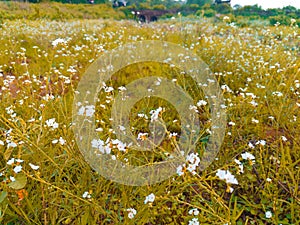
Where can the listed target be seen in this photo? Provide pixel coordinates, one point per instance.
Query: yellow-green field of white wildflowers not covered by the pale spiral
(255, 178)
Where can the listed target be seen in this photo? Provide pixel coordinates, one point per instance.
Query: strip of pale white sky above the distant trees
(265, 4)
